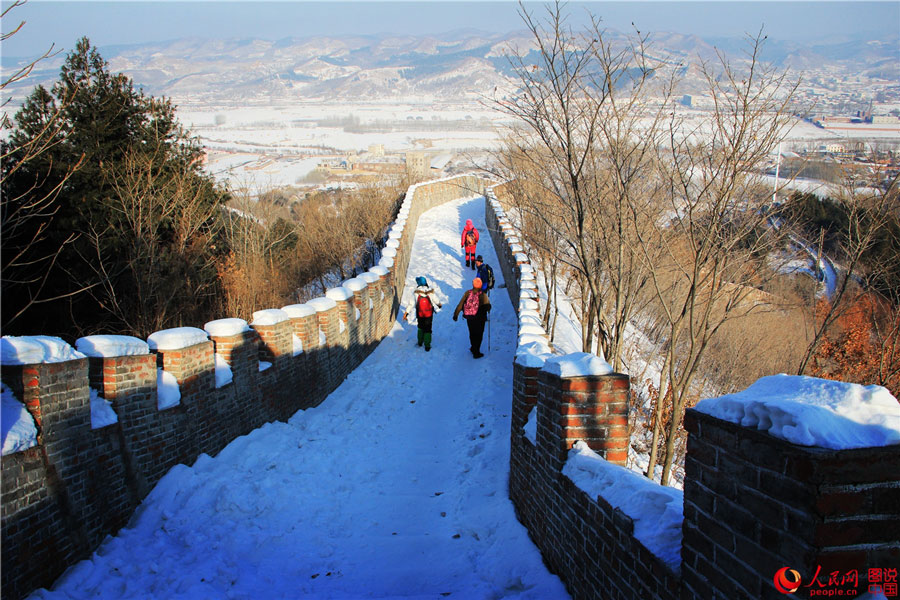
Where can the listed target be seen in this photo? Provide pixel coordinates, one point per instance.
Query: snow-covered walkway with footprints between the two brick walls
(394, 487)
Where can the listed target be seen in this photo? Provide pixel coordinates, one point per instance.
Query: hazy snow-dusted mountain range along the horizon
(451, 67)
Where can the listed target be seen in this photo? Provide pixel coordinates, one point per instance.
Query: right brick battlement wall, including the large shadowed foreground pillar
(752, 504)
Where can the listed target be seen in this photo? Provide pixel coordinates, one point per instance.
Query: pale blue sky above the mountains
(126, 22)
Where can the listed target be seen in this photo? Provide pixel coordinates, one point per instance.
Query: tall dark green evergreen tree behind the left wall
(123, 176)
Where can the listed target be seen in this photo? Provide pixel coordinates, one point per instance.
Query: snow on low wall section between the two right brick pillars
(656, 511)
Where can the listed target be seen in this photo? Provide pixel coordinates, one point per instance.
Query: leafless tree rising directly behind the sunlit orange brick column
(587, 131)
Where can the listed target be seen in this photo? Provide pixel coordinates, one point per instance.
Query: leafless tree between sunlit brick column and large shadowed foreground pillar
(716, 239)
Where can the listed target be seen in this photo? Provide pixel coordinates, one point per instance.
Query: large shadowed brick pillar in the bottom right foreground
(754, 504)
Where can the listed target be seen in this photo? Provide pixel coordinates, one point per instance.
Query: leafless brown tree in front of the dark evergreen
(166, 227)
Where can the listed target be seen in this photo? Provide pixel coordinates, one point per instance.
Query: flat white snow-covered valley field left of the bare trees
(279, 145)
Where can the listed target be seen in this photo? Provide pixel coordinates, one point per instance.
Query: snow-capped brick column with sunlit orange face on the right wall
(592, 408)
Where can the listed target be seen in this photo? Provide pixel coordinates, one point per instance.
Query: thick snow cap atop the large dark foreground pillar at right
(813, 412)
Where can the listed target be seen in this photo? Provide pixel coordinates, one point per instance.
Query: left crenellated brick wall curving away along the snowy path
(62, 497)
